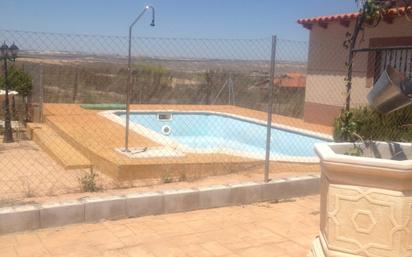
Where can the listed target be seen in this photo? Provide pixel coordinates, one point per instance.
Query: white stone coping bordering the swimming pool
(174, 144)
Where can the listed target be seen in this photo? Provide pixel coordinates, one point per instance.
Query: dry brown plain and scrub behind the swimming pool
(71, 78)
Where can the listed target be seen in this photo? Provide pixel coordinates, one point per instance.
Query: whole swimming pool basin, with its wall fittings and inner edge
(209, 132)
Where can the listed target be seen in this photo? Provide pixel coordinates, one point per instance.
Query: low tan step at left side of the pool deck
(56, 147)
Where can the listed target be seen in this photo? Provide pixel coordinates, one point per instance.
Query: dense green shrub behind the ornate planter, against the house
(370, 125)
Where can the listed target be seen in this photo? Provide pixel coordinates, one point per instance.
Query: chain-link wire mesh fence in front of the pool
(198, 111)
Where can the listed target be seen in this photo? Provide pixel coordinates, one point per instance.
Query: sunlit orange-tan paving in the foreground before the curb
(265, 229)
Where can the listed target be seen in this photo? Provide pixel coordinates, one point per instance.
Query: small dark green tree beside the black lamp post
(22, 83)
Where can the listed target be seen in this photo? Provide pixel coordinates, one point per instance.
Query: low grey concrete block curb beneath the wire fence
(29, 217)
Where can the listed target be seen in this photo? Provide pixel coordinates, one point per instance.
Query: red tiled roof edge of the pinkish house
(345, 17)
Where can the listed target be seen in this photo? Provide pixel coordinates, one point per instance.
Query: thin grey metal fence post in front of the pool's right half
(270, 104)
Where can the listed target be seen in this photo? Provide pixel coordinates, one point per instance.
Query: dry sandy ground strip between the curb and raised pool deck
(30, 175)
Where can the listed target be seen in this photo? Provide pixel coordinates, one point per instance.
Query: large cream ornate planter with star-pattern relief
(366, 202)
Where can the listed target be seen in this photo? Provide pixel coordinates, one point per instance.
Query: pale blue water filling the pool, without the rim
(213, 132)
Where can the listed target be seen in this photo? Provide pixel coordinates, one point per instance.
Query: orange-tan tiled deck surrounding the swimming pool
(96, 137)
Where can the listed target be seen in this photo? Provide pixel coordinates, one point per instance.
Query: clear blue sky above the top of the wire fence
(247, 19)
